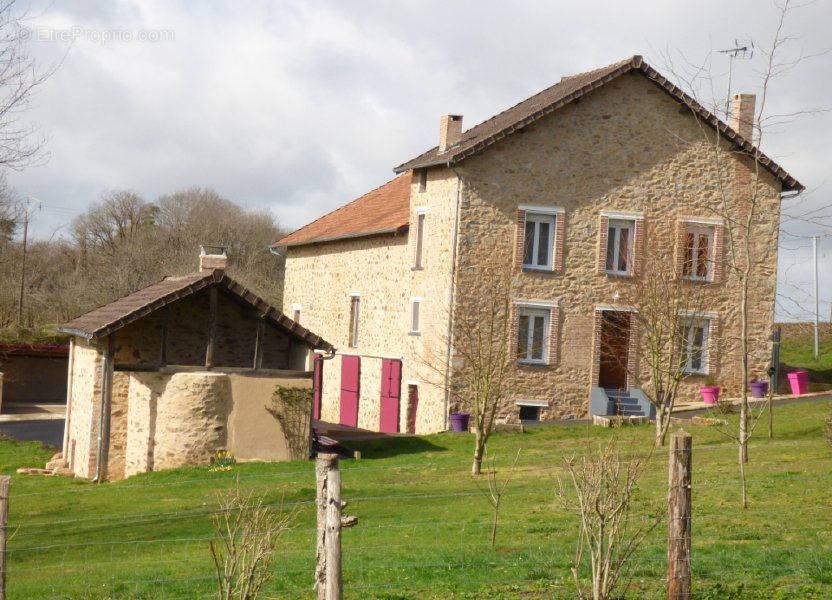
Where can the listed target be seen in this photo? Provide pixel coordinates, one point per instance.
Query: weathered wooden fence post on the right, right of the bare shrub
(679, 513)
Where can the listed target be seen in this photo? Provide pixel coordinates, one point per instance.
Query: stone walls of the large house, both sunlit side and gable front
(624, 148)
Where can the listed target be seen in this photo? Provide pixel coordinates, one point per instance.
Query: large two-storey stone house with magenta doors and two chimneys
(575, 187)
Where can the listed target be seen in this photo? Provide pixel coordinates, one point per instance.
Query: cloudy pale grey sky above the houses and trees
(300, 106)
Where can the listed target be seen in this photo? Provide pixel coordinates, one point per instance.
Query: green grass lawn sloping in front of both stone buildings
(424, 522)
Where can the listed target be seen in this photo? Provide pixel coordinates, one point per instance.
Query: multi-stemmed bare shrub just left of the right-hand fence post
(604, 482)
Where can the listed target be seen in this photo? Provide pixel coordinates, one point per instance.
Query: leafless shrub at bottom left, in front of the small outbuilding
(248, 533)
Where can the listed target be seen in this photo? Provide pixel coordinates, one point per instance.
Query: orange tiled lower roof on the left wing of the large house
(386, 209)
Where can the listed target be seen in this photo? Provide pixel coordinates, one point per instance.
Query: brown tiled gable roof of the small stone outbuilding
(113, 316)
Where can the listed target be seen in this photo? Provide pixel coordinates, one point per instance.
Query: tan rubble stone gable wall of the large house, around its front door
(625, 147)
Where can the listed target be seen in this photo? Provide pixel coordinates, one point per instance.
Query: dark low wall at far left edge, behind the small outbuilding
(34, 379)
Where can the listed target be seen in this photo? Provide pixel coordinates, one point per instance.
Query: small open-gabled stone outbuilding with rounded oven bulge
(172, 373)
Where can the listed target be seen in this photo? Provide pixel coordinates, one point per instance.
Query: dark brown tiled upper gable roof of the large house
(567, 90)
